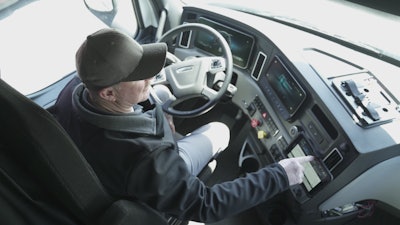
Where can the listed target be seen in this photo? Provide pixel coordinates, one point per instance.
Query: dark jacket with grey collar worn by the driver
(136, 157)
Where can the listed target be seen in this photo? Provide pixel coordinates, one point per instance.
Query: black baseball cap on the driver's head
(109, 56)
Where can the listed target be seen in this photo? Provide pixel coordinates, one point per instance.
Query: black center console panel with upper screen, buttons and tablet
(287, 122)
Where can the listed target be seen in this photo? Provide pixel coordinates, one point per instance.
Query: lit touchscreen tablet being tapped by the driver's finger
(311, 177)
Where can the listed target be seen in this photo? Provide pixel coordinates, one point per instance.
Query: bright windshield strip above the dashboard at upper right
(372, 25)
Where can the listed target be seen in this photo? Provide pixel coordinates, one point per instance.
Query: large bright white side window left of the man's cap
(39, 40)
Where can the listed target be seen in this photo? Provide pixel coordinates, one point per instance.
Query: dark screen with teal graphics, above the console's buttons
(287, 89)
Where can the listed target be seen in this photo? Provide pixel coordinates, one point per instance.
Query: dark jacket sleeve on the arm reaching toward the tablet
(163, 181)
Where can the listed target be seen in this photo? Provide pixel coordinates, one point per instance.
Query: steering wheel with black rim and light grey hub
(193, 77)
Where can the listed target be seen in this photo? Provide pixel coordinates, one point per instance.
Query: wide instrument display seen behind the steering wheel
(240, 44)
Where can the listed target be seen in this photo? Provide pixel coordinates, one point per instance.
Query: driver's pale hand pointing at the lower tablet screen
(294, 168)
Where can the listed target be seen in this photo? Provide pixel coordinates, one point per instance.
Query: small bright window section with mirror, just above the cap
(118, 14)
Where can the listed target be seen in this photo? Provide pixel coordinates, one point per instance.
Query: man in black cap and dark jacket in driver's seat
(133, 151)
